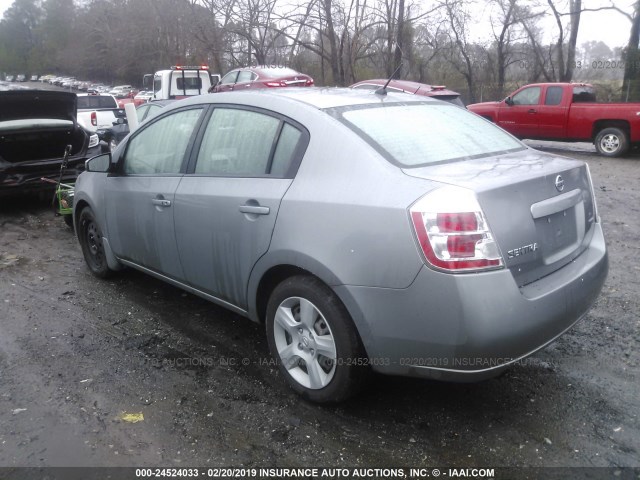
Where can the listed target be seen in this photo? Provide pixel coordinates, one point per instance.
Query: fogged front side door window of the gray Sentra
(160, 148)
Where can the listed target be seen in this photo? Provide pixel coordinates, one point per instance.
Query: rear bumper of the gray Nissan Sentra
(470, 327)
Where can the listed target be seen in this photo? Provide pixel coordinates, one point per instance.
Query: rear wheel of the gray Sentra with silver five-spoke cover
(312, 338)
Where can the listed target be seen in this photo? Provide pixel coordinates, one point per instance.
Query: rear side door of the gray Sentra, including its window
(226, 208)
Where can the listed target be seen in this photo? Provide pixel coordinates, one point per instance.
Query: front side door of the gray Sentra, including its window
(139, 200)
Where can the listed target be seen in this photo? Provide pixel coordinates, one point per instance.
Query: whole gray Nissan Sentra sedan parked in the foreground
(368, 232)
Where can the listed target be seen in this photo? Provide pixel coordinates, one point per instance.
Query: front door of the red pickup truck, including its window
(520, 118)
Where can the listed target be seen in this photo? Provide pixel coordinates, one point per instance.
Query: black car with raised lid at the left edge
(35, 129)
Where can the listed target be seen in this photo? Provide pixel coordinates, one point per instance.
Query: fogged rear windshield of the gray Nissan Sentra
(418, 134)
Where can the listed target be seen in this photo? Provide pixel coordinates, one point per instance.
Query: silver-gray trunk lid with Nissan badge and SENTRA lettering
(538, 206)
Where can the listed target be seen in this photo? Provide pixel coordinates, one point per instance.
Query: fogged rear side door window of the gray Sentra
(243, 143)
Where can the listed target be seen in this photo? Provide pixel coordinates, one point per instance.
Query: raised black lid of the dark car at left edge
(30, 104)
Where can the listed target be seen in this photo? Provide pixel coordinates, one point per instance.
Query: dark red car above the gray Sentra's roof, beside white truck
(261, 77)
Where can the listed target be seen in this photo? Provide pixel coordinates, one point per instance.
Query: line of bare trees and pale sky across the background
(337, 42)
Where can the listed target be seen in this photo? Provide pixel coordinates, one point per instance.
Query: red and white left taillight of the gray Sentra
(452, 231)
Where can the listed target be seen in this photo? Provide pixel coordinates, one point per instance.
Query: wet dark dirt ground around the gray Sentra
(78, 354)
